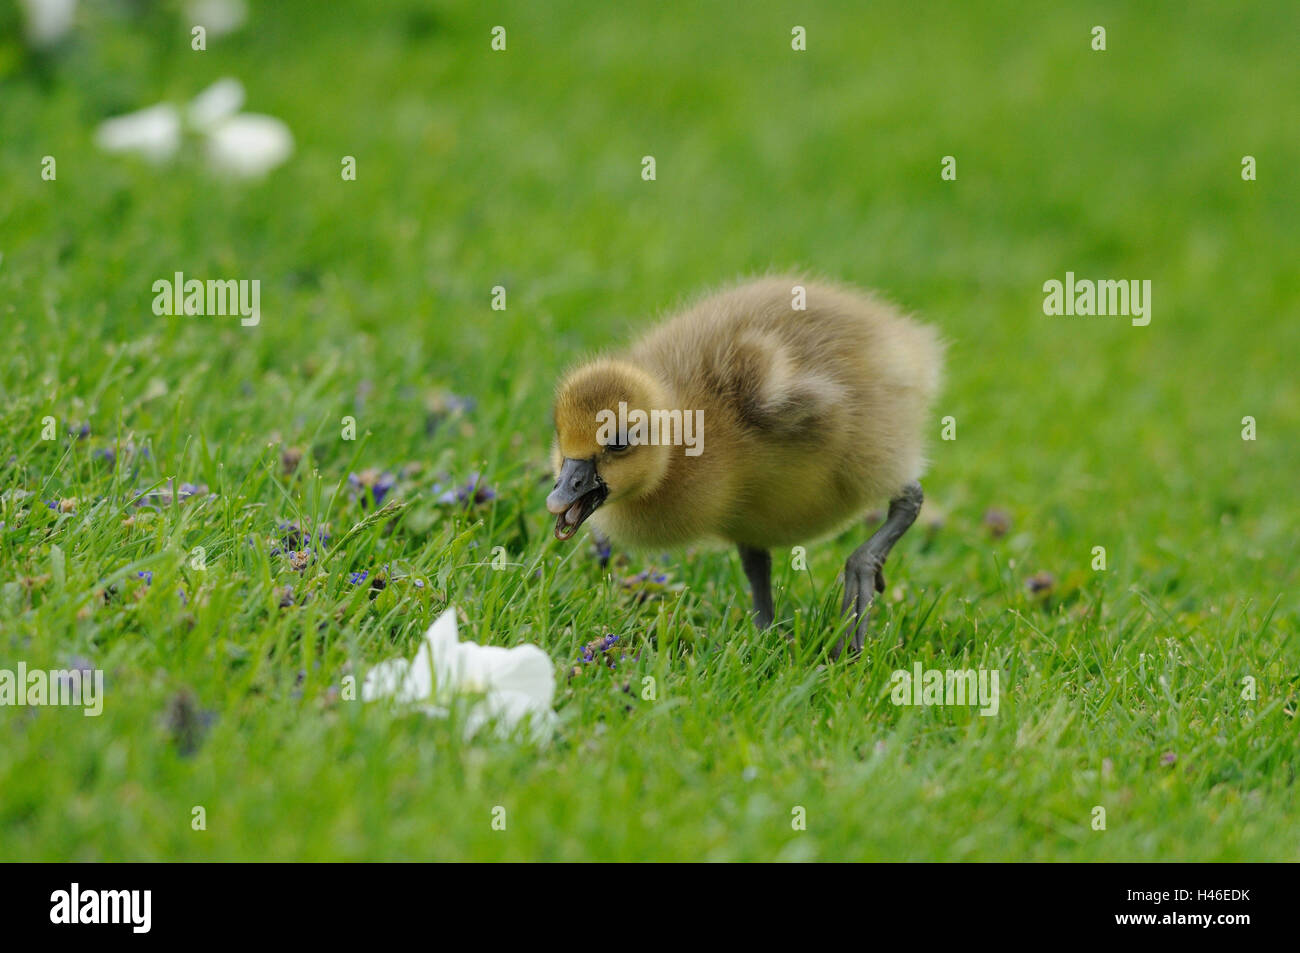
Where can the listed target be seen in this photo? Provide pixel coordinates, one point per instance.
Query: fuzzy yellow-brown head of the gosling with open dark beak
(593, 460)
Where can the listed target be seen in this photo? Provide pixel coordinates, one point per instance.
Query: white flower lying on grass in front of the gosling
(515, 685)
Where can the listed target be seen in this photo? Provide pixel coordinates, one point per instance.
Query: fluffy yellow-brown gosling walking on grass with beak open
(752, 421)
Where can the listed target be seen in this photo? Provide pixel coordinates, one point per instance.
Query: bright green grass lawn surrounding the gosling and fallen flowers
(523, 170)
